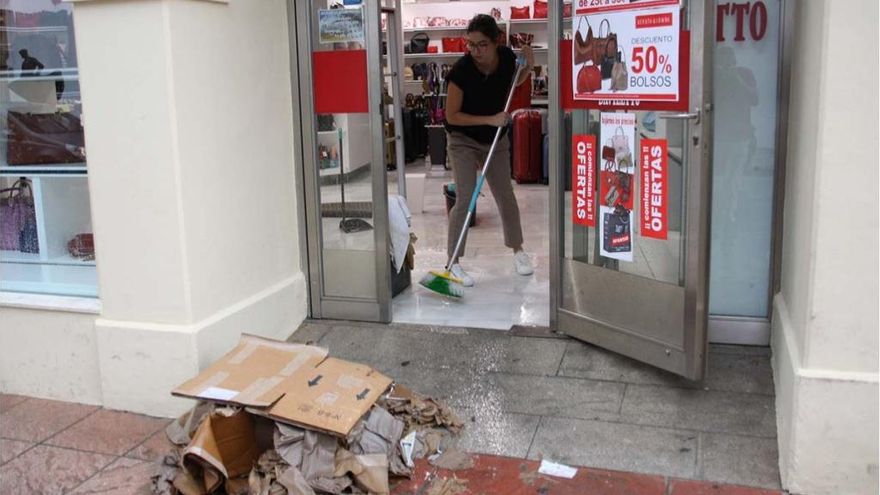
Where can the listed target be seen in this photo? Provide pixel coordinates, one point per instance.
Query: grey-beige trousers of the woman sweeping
(466, 157)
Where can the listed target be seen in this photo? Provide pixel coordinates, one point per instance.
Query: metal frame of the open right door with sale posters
(689, 359)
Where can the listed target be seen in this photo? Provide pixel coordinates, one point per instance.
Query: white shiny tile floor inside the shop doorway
(500, 297)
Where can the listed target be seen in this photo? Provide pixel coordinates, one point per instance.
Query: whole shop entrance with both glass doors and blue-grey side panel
(392, 147)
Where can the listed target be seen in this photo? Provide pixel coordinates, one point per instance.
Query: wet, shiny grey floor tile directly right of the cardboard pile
(502, 434)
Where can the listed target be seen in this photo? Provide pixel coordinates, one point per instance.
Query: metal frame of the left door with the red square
(300, 28)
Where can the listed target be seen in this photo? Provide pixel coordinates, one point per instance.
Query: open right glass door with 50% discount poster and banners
(631, 143)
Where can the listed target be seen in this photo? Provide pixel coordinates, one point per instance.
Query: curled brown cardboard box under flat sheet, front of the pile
(223, 447)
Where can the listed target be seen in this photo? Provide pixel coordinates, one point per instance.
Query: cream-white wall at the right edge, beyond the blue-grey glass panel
(825, 320)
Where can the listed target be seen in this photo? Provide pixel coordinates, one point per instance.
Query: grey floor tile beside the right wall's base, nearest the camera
(739, 460)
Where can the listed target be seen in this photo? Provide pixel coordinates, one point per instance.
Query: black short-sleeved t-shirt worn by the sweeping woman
(483, 95)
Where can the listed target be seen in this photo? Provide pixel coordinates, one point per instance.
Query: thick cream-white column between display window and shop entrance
(189, 132)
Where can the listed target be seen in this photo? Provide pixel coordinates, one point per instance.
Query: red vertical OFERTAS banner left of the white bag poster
(583, 152)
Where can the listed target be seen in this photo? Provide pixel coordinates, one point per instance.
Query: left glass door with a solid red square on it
(343, 151)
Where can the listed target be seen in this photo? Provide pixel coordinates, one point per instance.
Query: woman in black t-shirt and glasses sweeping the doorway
(477, 90)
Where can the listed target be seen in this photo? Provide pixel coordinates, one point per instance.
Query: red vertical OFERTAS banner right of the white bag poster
(655, 188)
